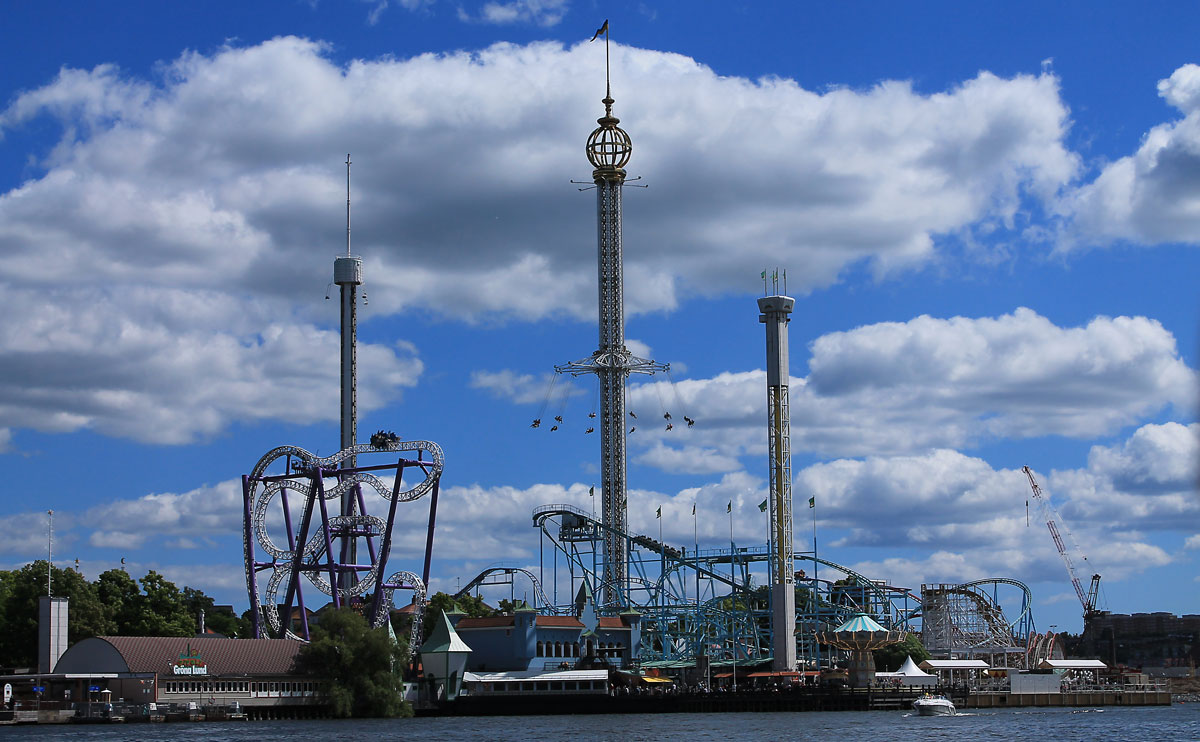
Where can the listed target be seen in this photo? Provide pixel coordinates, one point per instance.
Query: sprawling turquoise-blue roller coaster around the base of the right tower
(705, 602)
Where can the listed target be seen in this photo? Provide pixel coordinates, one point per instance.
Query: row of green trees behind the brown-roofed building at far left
(113, 606)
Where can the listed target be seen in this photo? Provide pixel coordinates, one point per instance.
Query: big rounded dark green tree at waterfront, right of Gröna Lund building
(361, 667)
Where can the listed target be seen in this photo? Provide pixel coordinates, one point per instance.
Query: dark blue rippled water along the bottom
(1180, 723)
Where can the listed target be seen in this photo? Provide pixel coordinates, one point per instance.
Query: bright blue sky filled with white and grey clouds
(988, 214)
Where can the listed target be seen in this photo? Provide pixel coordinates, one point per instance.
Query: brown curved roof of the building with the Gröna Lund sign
(221, 656)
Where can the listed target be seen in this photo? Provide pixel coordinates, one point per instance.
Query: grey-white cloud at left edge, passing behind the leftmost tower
(167, 367)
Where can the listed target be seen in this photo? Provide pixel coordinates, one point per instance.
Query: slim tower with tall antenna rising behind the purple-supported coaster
(349, 277)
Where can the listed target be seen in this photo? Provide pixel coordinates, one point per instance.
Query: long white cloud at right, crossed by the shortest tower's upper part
(899, 387)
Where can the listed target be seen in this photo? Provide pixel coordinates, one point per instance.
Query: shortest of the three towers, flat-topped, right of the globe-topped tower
(776, 312)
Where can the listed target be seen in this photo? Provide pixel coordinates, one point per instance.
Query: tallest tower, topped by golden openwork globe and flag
(609, 149)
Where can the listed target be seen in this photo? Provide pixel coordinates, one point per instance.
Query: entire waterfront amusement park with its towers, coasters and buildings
(608, 615)
